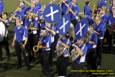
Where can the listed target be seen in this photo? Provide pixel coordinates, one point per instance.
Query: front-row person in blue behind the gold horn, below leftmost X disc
(46, 42)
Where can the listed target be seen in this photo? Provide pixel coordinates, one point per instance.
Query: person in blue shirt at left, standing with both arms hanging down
(19, 42)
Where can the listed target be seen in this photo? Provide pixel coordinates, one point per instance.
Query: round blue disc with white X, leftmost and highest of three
(52, 13)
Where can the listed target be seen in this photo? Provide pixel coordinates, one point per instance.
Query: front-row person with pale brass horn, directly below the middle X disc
(63, 55)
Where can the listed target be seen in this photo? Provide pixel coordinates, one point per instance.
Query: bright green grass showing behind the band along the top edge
(10, 5)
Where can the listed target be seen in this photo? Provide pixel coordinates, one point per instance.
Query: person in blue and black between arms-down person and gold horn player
(33, 28)
